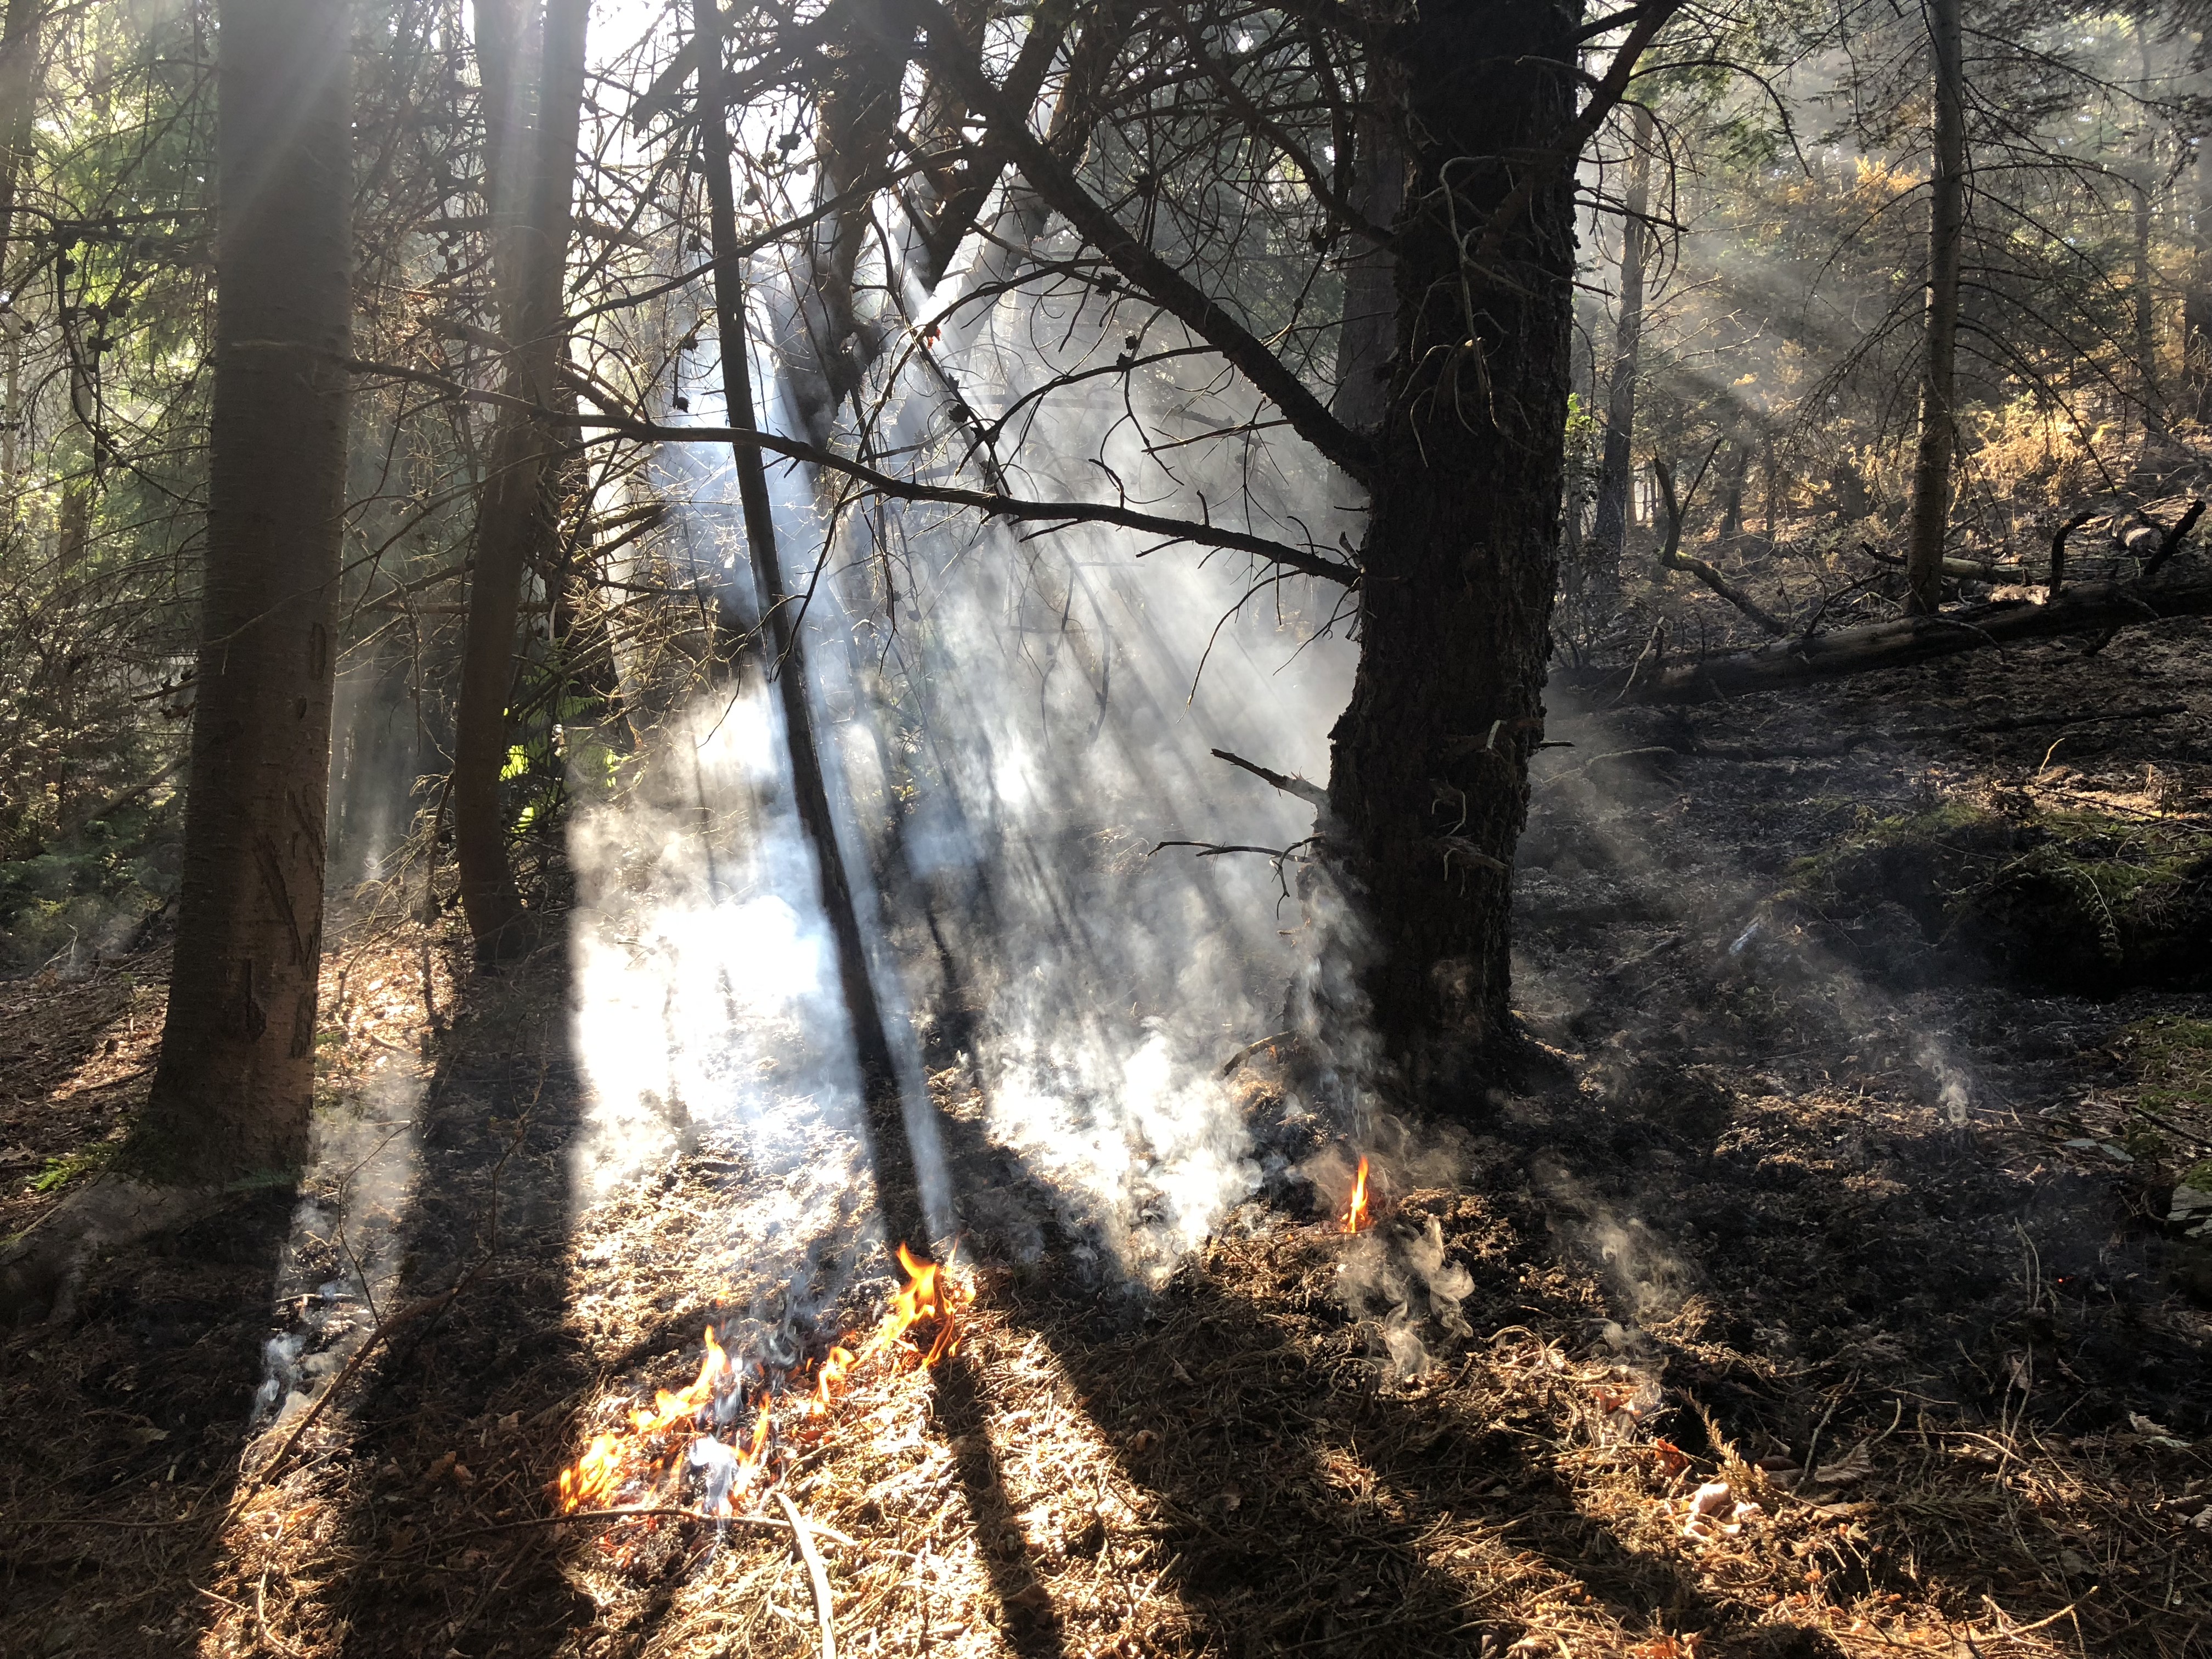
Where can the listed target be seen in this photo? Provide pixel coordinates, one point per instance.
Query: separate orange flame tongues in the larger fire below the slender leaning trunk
(614, 1461)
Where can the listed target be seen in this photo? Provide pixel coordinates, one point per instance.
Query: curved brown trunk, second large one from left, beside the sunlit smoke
(532, 189)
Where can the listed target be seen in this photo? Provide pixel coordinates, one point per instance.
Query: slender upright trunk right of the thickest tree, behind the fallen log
(1939, 355)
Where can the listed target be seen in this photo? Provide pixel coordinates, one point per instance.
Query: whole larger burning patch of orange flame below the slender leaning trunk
(643, 1468)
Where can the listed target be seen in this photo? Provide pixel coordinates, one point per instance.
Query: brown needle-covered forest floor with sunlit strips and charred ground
(1817, 1297)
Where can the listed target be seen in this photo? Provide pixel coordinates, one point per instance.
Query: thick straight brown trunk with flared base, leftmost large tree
(238, 1056)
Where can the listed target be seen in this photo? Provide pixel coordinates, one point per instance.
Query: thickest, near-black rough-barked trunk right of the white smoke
(1430, 780)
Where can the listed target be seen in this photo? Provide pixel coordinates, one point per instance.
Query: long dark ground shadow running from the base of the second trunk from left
(448, 1430)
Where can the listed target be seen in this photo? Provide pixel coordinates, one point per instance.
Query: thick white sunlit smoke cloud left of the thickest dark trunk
(1012, 724)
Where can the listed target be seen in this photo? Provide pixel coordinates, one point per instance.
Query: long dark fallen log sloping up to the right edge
(2091, 607)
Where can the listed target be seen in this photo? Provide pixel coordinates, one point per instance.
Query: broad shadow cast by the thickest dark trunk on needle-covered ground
(1304, 1507)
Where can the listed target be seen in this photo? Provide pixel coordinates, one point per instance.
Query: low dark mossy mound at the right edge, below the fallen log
(2074, 901)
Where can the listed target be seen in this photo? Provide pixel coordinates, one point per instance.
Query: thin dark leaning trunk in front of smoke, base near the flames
(780, 616)
